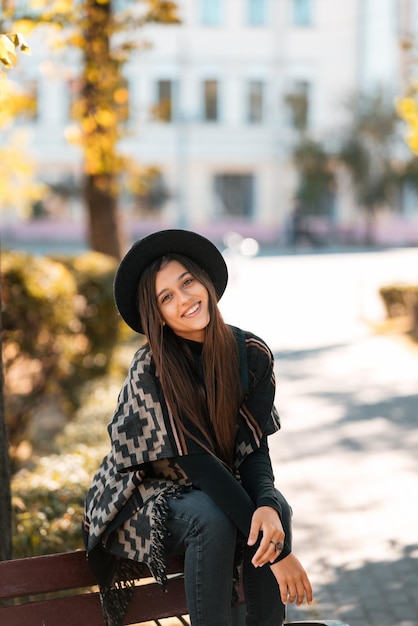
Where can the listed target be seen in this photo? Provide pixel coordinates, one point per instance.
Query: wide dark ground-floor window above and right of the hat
(234, 195)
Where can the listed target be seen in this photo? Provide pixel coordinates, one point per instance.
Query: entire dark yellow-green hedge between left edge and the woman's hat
(60, 328)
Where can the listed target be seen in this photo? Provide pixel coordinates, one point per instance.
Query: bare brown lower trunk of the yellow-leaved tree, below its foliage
(104, 227)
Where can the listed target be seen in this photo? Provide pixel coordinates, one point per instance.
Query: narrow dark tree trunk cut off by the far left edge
(5, 492)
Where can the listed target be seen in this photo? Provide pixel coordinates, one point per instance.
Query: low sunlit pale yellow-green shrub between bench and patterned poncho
(48, 498)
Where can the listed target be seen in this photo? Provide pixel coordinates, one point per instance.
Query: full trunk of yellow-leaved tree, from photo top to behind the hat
(101, 77)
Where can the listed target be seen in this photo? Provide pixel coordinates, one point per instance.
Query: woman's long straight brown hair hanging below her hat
(211, 407)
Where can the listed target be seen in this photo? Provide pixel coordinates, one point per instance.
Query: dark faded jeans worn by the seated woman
(207, 537)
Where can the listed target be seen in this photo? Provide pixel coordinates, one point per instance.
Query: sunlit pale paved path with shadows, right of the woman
(347, 455)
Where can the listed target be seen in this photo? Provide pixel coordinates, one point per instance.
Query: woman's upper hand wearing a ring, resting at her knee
(267, 520)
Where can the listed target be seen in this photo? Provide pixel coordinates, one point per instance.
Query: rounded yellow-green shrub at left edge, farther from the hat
(38, 314)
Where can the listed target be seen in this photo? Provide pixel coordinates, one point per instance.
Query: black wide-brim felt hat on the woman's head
(154, 246)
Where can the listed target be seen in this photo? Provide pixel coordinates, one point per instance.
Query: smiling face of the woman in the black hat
(183, 301)
